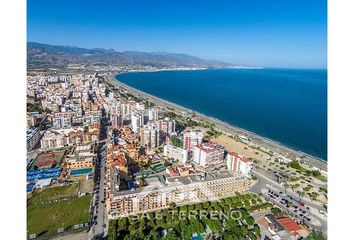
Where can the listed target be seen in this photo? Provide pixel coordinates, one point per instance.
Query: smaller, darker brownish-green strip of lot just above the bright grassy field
(54, 193)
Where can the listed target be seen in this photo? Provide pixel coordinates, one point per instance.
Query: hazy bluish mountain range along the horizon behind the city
(44, 56)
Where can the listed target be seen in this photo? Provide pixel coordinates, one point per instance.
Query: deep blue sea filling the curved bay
(285, 105)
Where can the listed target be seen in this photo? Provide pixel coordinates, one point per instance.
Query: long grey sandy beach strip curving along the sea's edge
(227, 128)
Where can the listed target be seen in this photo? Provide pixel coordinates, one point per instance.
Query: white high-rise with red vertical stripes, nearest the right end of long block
(238, 164)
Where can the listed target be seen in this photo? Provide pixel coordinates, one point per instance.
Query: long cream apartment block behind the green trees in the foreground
(180, 190)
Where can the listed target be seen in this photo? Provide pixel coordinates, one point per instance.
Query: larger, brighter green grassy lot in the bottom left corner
(47, 218)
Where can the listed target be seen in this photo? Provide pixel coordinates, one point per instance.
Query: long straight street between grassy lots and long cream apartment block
(100, 220)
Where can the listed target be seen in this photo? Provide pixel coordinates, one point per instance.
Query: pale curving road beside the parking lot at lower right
(264, 183)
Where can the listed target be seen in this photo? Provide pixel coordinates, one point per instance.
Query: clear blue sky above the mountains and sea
(271, 33)
